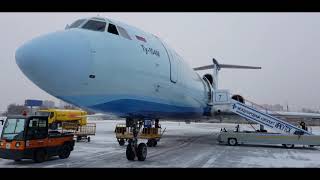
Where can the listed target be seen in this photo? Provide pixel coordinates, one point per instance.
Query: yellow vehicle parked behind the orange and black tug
(59, 116)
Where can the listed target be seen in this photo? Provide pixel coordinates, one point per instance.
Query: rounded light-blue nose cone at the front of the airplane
(55, 60)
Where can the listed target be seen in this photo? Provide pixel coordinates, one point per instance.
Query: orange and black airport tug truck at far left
(28, 137)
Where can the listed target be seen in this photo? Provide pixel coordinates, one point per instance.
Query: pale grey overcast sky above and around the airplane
(286, 45)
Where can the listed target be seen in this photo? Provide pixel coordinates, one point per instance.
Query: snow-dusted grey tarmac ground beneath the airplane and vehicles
(183, 145)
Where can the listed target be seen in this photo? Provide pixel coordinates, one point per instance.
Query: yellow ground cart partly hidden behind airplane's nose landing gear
(151, 132)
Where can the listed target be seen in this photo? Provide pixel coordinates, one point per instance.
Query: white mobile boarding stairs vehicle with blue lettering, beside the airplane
(286, 134)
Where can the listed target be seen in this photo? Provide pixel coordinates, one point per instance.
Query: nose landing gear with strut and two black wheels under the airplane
(133, 149)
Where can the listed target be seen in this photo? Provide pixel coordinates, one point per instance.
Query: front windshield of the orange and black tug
(13, 129)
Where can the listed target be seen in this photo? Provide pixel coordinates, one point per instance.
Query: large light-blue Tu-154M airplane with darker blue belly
(108, 66)
